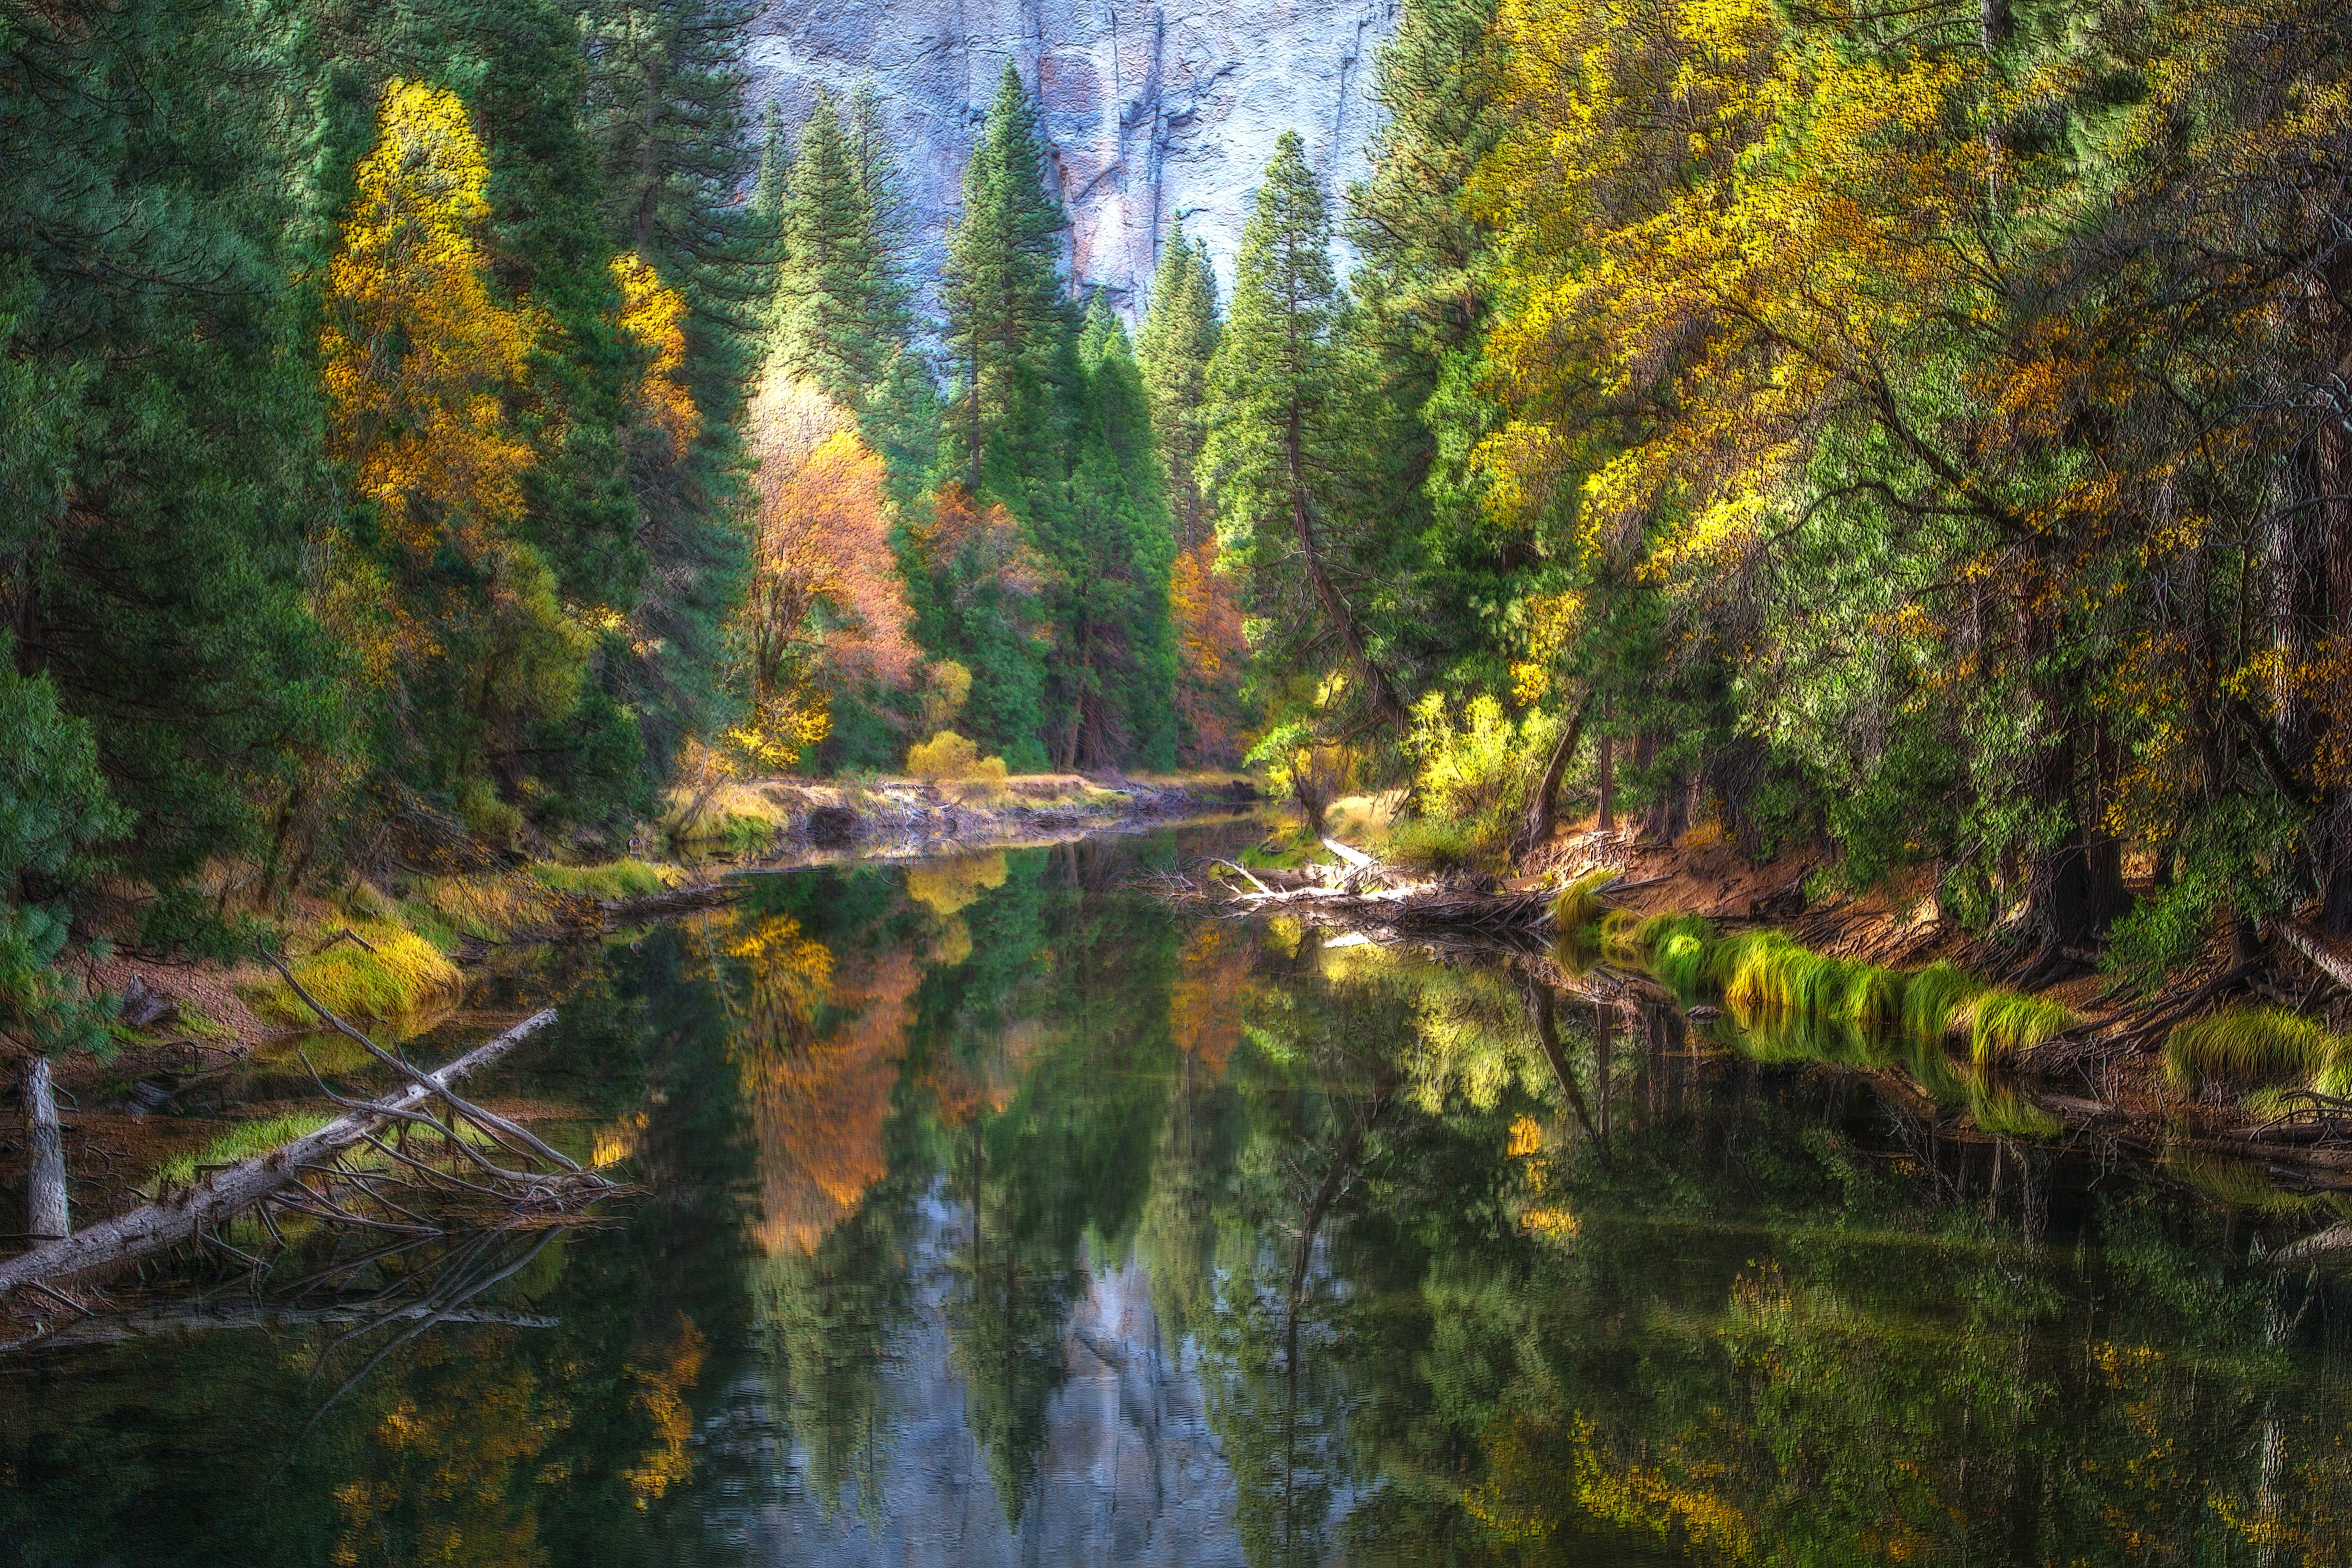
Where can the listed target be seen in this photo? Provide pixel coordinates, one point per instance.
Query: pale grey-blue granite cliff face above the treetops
(1151, 112)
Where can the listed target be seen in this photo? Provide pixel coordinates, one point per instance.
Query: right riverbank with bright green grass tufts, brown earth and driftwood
(2243, 1054)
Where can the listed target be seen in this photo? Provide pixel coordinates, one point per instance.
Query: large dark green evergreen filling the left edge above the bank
(161, 431)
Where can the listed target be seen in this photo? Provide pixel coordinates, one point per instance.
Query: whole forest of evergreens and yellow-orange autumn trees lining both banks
(1909, 436)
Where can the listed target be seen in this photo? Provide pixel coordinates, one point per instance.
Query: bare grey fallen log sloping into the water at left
(218, 1198)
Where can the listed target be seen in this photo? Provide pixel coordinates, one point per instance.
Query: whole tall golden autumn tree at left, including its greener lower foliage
(417, 361)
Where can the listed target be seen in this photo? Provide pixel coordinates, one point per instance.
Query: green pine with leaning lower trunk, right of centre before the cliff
(1283, 434)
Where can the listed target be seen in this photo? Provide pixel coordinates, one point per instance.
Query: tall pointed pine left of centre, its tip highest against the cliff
(1008, 319)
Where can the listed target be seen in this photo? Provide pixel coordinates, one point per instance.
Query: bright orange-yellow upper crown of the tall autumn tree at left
(417, 351)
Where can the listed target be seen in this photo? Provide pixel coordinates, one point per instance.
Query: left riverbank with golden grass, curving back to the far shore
(206, 1052)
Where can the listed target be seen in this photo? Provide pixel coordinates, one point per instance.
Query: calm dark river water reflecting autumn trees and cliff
(994, 1214)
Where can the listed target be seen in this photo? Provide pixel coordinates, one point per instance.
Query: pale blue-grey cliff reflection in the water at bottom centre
(1130, 1470)
